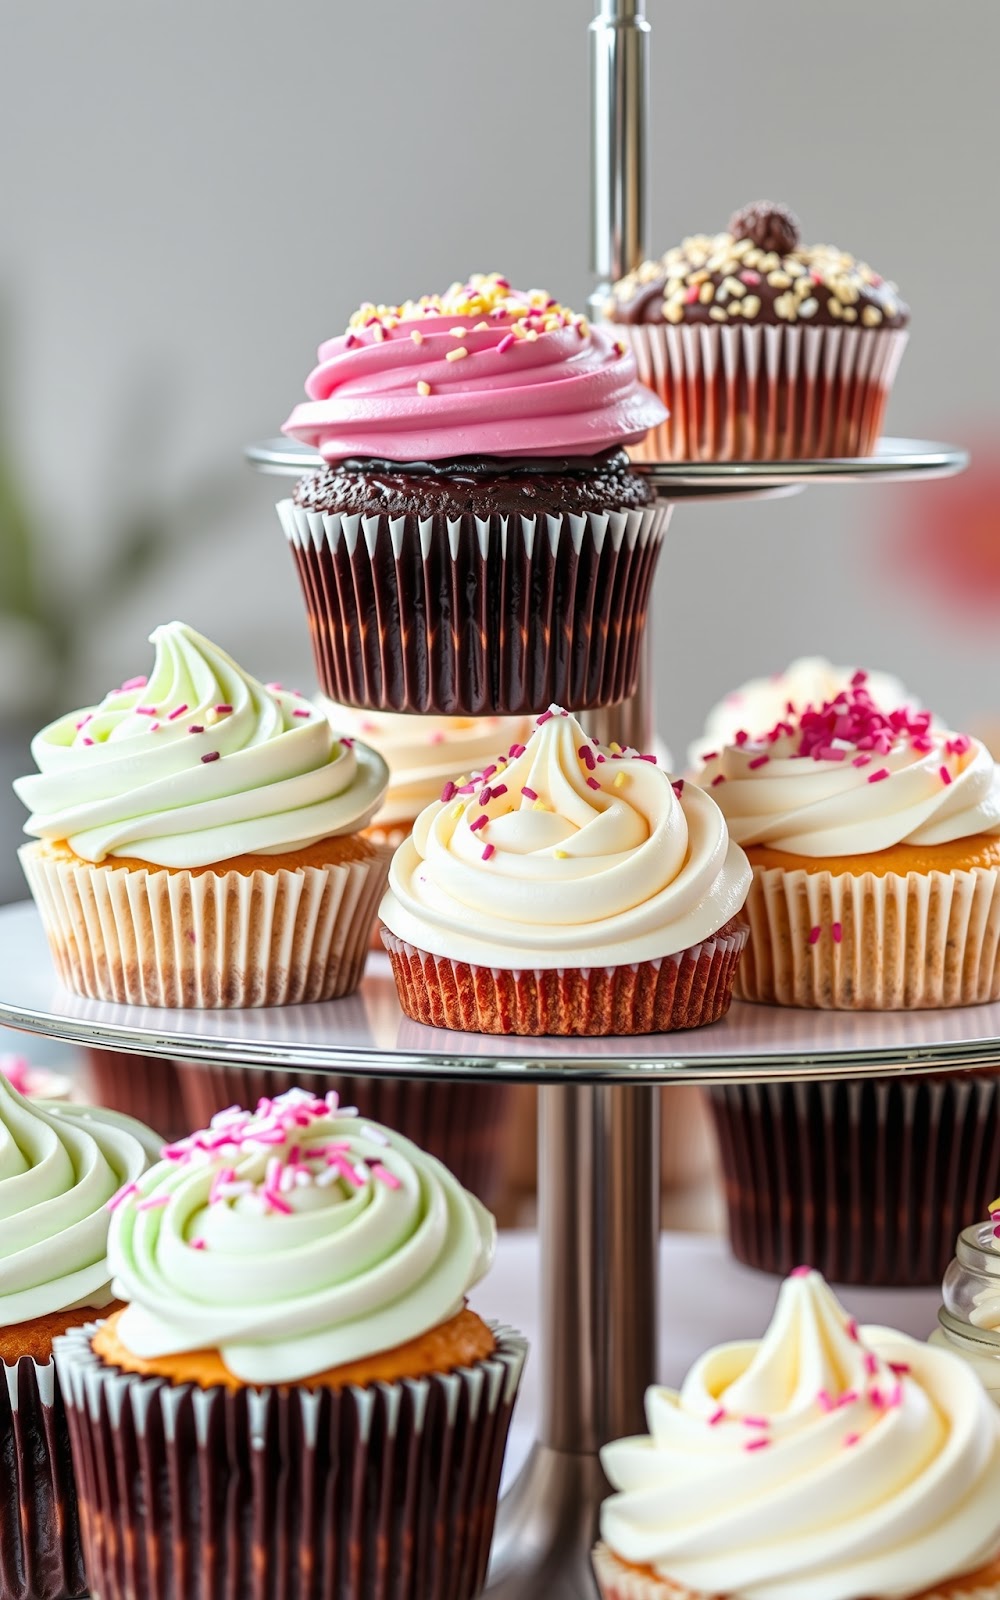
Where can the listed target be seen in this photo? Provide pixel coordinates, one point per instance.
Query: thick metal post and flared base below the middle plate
(599, 1230)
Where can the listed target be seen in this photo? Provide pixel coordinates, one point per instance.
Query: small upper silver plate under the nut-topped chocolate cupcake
(895, 462)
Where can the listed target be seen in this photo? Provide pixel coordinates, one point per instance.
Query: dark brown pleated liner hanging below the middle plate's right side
(870, 1182)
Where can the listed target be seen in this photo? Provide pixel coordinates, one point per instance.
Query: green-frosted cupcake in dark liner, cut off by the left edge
(60, 1166)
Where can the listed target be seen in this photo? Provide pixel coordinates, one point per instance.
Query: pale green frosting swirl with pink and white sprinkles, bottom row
(292, 1241)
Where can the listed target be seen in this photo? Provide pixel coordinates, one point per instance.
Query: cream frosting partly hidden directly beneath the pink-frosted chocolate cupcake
(423, 753)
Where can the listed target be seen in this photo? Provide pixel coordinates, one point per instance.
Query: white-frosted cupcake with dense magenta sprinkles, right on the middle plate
(876, 849)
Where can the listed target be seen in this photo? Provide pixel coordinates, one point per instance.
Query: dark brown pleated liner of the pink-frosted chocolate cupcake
(476, 615)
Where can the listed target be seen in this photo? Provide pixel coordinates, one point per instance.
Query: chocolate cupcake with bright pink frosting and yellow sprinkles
(476, 543)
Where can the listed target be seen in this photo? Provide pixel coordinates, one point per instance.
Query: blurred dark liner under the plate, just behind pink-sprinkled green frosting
(463, 1124)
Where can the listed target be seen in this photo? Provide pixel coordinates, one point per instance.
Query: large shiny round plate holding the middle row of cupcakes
(369, 1034)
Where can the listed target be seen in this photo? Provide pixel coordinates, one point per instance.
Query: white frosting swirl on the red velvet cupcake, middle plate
(566, 854)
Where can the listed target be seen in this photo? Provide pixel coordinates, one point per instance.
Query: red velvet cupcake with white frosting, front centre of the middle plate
(567, 889)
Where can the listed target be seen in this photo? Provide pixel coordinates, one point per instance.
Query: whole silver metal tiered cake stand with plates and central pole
(599, 1100)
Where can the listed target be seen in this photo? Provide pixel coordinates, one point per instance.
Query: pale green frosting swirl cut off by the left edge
(60, 1166)
